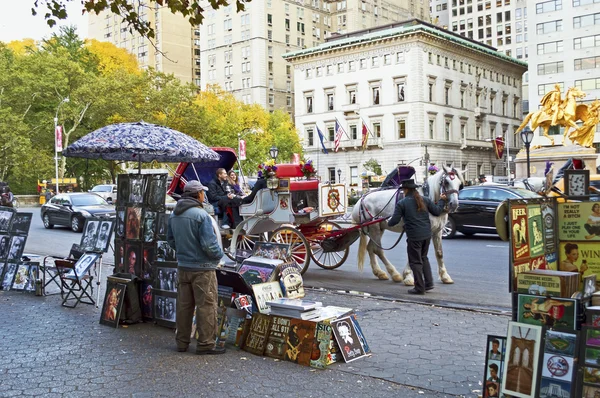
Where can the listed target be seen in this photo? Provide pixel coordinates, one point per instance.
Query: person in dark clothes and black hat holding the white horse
(415, 209)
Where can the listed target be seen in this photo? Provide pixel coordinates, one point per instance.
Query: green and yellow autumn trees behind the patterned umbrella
(104, 85)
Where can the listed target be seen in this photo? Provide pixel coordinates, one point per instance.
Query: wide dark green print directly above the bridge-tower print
(550, 312)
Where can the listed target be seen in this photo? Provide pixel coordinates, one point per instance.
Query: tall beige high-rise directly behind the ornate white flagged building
(242, 52)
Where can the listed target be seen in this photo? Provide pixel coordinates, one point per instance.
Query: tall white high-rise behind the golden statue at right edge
(565, 49)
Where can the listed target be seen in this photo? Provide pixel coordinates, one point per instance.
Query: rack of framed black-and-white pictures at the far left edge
(14, 273)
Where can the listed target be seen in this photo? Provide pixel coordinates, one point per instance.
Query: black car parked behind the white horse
(477, 208)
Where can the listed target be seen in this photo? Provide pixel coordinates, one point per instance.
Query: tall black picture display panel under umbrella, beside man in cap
(141, 246)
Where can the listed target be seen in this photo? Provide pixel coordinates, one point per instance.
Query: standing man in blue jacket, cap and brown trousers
(191, 234)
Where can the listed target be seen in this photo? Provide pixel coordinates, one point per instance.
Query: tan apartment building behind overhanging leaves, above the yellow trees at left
(175, 38)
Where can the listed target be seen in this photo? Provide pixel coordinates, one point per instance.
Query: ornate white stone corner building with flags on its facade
(419, 89)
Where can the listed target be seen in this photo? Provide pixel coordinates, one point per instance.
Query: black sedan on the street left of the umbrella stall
(71, 209)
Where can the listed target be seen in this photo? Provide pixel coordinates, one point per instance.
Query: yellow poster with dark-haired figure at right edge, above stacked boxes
(582, 257)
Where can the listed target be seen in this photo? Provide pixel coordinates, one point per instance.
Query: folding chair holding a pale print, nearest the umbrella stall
(79, 288)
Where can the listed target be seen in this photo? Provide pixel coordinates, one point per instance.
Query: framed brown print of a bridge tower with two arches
(522, 356)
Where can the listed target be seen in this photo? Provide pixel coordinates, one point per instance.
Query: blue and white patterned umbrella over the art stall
(140, 142)
